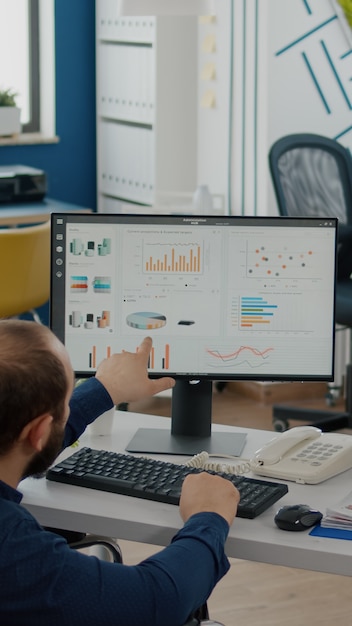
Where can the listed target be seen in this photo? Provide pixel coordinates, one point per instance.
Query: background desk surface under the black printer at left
(35, 212)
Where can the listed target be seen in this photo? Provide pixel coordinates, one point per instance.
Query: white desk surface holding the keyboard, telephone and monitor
(123, 517)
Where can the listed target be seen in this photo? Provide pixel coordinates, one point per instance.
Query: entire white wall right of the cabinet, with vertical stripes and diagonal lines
(292, 69)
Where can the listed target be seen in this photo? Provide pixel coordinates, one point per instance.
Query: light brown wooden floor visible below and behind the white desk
(254, 594)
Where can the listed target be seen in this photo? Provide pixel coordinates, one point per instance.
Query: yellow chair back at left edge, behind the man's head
(24, 269)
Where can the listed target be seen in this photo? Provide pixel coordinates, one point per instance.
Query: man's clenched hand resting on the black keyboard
(206, 492)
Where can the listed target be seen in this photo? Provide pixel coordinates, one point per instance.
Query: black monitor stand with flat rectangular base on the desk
(190, 426)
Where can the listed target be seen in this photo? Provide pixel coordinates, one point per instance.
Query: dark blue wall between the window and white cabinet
(70, 165)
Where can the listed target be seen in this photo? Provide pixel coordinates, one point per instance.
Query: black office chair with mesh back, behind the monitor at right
(312, 176)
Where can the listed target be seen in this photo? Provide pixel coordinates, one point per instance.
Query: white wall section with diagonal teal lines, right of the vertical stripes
(309, 66)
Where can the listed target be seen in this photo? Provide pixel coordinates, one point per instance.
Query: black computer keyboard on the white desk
(152, 479)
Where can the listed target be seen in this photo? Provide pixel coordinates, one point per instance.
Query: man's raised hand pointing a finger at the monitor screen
(125, 375)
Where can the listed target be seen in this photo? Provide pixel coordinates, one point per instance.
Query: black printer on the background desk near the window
(19, 183)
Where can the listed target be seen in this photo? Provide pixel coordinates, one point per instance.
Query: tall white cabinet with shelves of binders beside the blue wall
(146, 107)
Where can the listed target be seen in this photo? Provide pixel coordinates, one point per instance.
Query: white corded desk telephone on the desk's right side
(305, 455)
